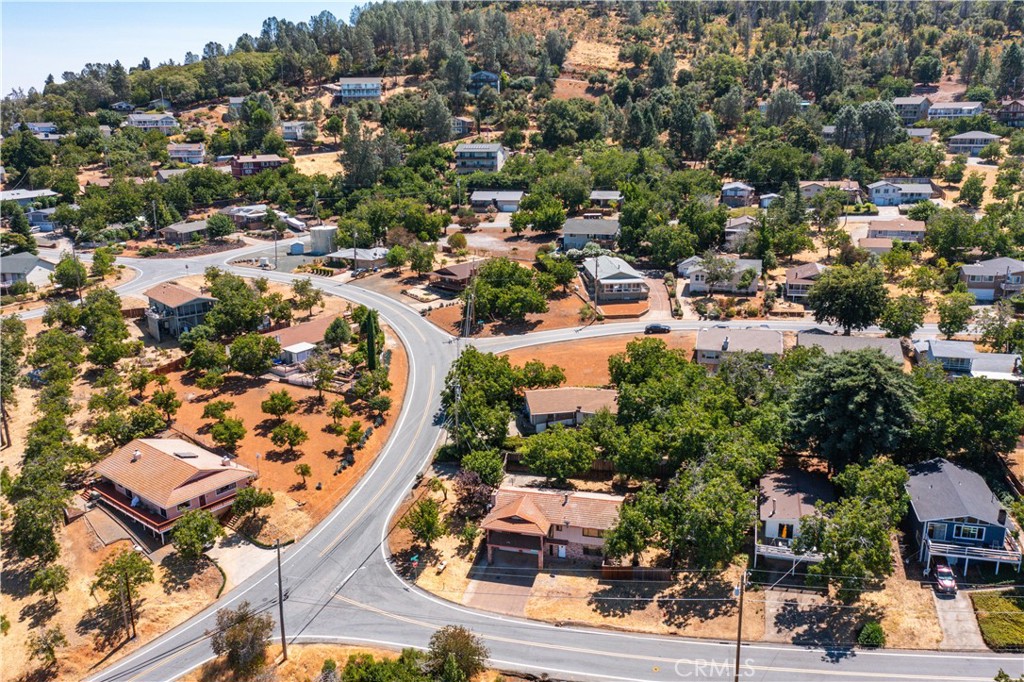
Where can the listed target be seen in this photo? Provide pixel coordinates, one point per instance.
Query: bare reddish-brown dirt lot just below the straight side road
(598, 353)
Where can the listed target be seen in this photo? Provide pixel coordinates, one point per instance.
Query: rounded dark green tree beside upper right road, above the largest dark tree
(850, 297)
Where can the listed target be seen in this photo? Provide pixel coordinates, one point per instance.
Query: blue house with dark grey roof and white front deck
(955, 516)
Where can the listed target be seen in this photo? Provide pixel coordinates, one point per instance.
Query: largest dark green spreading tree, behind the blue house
(851, 407)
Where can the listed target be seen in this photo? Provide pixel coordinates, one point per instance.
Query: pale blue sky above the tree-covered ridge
(41, 38)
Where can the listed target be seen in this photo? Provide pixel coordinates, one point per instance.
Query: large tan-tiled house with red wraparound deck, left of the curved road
(154, 482)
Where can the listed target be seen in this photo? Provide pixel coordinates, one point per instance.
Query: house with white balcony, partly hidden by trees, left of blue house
(786, 498)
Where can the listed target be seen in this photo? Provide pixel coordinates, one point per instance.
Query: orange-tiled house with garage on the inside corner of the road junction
(558, 524)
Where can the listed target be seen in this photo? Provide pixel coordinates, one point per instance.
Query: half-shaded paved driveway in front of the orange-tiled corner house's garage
(503, 586)
